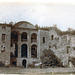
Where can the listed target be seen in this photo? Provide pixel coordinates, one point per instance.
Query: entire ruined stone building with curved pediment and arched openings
(22, 43)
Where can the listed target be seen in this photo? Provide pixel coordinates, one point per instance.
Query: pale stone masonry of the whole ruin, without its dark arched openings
(62, 45)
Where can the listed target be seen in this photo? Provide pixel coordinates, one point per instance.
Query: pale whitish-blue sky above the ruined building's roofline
(41, 12)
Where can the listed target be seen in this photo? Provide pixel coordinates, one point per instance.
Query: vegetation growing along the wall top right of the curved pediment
(69, 31)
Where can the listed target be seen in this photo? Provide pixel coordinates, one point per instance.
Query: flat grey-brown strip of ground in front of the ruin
(26, 71)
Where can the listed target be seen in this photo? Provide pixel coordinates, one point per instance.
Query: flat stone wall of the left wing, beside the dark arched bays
(5, 44)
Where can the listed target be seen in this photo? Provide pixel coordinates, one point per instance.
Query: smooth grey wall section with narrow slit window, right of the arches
(43, 40)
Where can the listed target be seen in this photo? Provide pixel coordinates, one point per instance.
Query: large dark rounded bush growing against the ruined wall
(49, 59)
